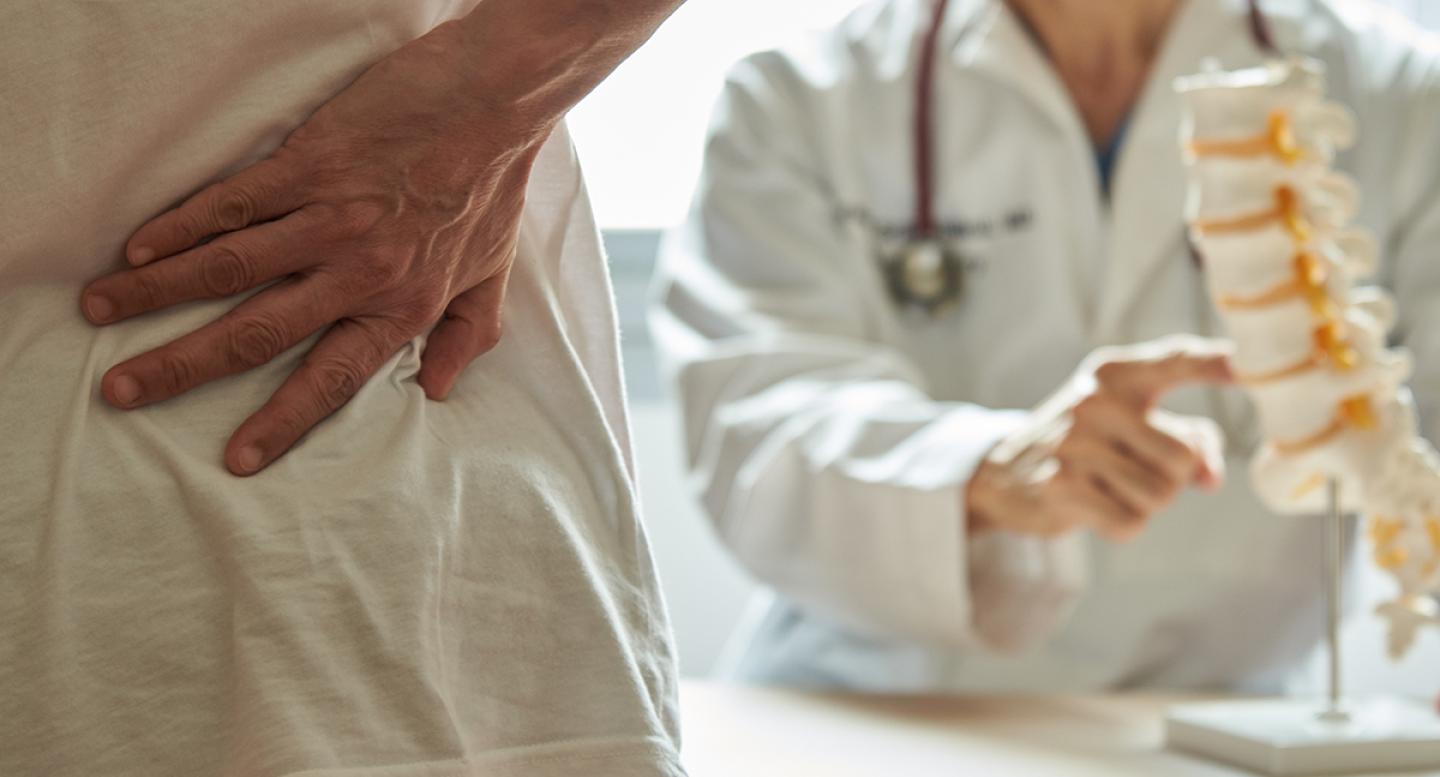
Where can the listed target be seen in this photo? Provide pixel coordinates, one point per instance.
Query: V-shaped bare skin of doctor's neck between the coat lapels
(1102, 53)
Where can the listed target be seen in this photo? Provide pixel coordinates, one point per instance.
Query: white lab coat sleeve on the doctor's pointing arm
(819, 454)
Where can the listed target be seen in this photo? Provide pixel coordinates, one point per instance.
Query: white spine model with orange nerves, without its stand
(1271, 221)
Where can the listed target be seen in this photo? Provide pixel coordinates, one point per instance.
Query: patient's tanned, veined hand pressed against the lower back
(395, 206)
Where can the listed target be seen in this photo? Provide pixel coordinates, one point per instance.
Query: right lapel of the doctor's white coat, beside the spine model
(1148, 191)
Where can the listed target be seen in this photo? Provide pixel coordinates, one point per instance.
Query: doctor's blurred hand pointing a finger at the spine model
(1099, 454)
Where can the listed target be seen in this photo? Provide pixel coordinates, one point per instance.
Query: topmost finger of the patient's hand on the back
(266, 191)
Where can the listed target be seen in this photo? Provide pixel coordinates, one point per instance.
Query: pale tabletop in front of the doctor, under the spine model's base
(761, 733)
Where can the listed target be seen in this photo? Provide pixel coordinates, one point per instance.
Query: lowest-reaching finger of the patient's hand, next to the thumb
(333, 372)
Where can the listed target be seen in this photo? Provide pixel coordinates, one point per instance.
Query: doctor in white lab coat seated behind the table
(898, 323)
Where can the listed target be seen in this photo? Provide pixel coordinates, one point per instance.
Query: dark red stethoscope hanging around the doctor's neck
(925, 273)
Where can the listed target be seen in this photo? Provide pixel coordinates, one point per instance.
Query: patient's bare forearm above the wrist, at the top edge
(535, 60)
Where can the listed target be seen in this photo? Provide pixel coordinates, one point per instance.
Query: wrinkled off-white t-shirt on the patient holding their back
(418, 589)
